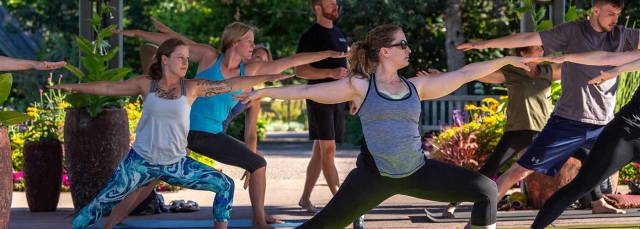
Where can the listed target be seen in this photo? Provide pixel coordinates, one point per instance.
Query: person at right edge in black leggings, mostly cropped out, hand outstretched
(618, 144)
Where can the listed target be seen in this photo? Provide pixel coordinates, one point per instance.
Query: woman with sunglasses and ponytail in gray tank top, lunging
(391, 160)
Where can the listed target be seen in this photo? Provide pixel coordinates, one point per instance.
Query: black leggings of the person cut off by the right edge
(617, 145)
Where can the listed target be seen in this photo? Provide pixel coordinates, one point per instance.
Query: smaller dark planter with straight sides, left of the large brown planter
(42, 167)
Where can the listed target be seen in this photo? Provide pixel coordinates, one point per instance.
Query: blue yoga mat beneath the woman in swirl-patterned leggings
(193, 224)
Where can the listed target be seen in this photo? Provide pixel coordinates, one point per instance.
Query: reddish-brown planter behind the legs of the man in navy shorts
(540, 187)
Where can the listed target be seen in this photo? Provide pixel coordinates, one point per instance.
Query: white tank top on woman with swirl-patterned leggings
(161, 135)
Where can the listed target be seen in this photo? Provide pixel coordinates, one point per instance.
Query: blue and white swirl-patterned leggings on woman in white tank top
(135, 172)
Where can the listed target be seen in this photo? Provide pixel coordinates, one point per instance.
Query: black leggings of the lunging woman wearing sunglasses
(363, 190)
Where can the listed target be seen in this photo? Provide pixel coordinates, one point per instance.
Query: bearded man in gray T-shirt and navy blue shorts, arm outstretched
(582, 110)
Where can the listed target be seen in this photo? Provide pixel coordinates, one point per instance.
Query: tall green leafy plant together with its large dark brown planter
(96, 127)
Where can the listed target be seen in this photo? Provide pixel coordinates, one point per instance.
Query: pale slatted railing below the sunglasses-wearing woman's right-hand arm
(440, 110)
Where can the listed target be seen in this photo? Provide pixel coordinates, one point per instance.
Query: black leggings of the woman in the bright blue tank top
(224, 149)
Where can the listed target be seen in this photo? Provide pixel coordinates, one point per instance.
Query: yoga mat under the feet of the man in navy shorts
(530, 215)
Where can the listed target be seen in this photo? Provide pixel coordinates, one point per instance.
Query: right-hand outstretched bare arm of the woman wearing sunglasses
(441, 85)
